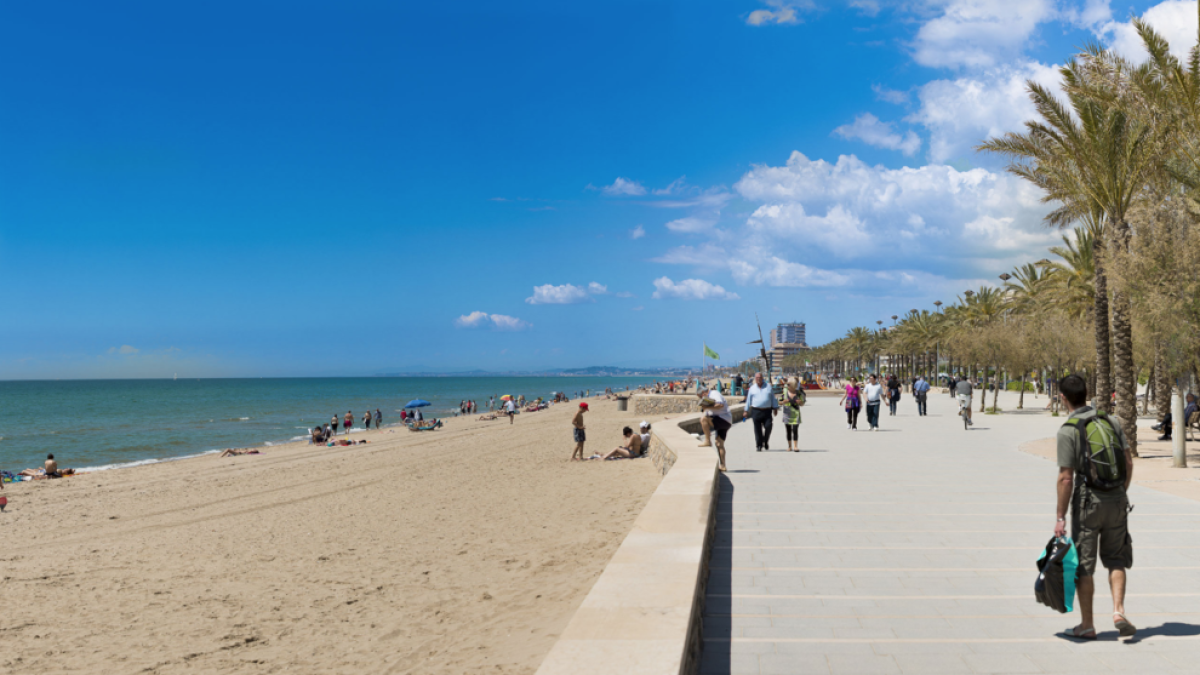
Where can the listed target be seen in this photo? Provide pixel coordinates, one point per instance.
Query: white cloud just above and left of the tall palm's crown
(963, 112)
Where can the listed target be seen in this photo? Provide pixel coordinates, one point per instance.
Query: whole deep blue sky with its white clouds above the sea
(346, 189)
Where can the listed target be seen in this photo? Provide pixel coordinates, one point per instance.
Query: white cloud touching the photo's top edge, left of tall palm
(979, 33)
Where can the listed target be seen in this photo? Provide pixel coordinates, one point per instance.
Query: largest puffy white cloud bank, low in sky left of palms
(915, 213)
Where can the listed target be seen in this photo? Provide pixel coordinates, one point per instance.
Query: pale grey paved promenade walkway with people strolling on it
(913, 551)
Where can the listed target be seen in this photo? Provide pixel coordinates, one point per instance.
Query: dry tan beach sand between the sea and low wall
(460, 551)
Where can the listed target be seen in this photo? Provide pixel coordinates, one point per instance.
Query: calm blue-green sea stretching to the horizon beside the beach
(106, 423)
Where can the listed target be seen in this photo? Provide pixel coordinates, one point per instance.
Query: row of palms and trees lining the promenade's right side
(1120, 162)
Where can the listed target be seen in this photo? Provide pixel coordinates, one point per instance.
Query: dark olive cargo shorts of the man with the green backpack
(1101, 527)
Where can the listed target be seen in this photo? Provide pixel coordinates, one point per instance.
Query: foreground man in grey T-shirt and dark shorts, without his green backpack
(1100, 521)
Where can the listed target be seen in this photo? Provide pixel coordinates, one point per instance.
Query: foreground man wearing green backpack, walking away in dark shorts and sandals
(1095, 471)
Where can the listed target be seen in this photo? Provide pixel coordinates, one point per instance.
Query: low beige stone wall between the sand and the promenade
(643, 616)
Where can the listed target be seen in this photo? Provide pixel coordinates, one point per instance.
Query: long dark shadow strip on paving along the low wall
(717, 623)
